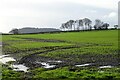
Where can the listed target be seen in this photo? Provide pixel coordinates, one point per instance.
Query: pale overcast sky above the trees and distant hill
(51, 13)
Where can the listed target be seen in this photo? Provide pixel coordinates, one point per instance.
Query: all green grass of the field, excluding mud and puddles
(82, 47)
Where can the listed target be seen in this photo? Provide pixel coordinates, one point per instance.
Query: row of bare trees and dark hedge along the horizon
(74, 25)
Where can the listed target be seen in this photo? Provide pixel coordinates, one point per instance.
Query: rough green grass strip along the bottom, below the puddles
(64, 73)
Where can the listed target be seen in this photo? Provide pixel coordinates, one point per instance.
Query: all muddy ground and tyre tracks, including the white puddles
(35, 60)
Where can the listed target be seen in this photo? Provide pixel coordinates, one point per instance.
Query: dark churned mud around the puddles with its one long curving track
(96, 60)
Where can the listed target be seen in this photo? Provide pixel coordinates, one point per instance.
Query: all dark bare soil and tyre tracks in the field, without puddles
(69, 60)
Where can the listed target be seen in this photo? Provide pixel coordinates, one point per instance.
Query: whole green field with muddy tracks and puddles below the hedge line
(89, 54)
